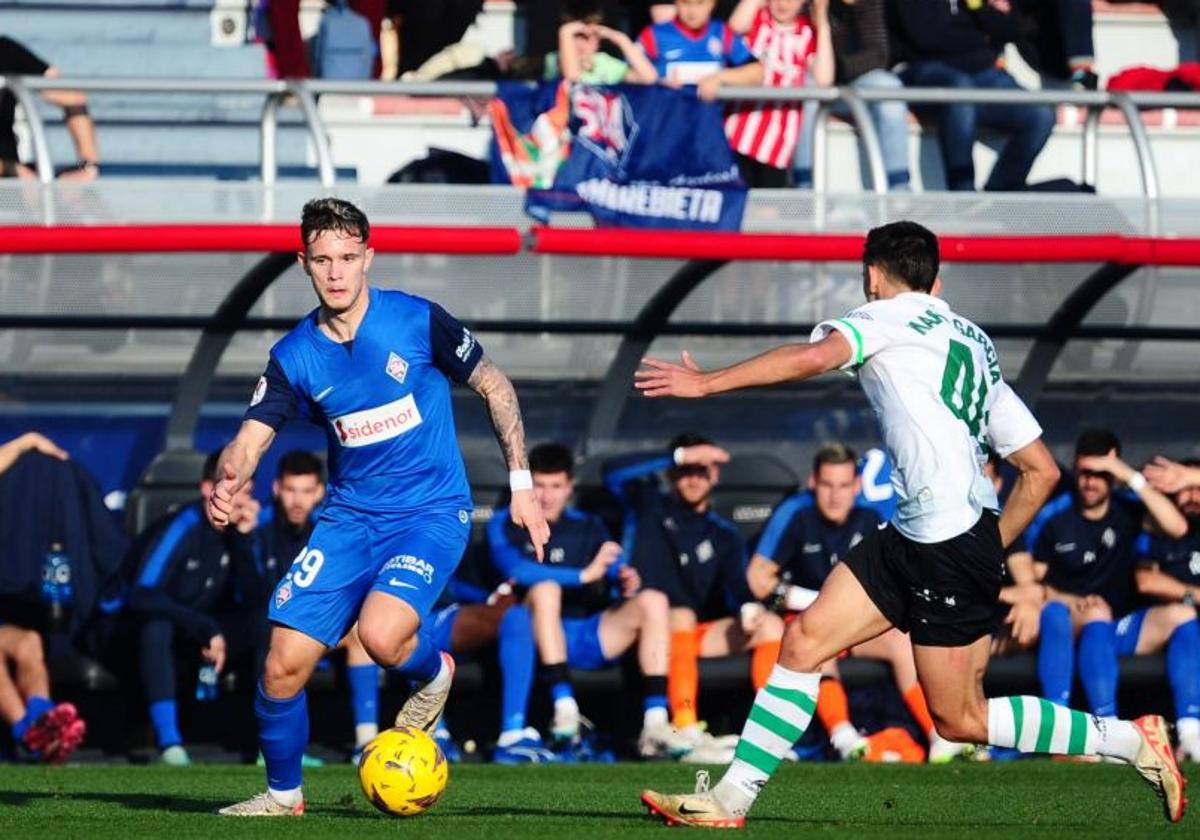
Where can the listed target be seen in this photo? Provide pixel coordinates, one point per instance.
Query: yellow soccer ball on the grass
(404, 772)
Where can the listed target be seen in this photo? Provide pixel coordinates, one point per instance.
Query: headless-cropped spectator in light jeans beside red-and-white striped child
(862, 61)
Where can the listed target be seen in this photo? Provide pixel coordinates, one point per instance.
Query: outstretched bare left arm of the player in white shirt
(789, 363)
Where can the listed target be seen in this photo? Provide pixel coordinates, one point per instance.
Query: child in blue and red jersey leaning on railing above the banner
(692, 49)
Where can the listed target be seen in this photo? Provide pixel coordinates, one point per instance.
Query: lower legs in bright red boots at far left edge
(50, 731)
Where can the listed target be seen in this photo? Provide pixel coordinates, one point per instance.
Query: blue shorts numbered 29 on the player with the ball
(352, 554)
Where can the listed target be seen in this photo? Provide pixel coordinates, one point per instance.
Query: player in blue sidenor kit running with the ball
(374, 369)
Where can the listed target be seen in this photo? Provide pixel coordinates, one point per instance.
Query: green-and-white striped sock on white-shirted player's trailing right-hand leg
(1036, 725)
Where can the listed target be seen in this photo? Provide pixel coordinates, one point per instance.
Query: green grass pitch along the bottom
(1028, 800)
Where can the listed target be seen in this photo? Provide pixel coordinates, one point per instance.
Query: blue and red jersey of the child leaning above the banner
(688, 56)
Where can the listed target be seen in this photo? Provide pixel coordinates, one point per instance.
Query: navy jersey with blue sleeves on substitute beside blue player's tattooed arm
(574, 542)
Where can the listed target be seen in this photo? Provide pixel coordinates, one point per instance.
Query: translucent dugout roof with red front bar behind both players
(195, 280)
